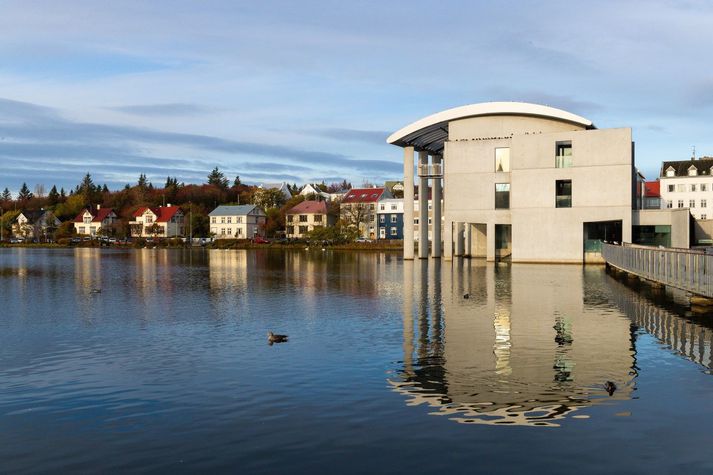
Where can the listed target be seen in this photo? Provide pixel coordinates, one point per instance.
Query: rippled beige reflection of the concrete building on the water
(524, 349)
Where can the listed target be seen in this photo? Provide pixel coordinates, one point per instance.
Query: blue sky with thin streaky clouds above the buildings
(309, 90)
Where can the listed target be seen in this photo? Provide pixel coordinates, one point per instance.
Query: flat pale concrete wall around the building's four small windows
(601, 183)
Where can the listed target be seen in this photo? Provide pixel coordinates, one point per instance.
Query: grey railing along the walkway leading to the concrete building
(685, 269)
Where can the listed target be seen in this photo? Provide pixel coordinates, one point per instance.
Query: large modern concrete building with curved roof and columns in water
(522, 181)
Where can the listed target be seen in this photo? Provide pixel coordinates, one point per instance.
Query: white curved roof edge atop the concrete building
(484, 109)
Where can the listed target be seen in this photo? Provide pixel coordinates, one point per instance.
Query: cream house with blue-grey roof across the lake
(237, 222)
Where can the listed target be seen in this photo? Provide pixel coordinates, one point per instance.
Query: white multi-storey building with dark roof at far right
(688, 184)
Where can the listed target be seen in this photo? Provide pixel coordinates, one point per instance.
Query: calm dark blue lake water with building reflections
(388, 367)
